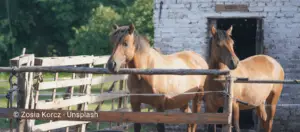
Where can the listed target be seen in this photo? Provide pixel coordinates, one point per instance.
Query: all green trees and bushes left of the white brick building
(67, 27)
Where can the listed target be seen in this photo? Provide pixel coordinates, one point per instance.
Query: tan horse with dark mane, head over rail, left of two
(135, 51)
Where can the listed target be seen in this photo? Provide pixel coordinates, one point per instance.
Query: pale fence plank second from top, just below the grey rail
(80, 81)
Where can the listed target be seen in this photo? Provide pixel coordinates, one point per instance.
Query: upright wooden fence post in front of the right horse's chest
(228, 103)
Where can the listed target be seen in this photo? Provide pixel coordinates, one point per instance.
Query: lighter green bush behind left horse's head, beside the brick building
(93, 37)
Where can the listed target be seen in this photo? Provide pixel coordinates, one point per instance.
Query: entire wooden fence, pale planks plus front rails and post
(30, 87)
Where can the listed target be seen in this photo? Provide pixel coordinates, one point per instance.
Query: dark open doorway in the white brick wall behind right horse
(244, 34)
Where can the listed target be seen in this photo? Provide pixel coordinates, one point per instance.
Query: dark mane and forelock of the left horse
(141, 42)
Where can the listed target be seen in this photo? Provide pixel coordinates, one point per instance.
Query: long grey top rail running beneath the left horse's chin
(121, 71)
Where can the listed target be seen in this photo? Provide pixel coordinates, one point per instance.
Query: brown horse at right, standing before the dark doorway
(223, 57)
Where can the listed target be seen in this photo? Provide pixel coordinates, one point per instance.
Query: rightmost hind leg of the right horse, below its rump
(272, 101)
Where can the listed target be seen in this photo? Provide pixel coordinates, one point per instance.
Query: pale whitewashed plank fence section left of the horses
(29, 90)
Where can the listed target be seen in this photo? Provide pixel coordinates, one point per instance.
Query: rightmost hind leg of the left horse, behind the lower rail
(196, 108)
